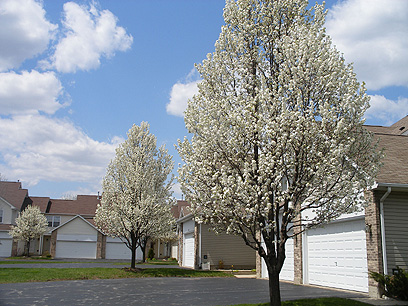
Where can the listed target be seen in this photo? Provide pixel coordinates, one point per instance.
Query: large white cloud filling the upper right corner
(373, 35)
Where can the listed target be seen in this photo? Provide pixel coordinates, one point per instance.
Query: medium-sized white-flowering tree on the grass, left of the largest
(136, 200)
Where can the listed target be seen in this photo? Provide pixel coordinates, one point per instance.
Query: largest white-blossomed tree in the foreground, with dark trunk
(278, 143)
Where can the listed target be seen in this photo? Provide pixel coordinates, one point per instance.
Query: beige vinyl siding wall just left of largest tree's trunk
(231, 249)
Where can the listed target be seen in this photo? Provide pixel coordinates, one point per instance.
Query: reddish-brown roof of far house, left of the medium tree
(83, 205)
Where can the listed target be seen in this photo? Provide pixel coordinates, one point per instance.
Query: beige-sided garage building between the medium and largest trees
(200, 247)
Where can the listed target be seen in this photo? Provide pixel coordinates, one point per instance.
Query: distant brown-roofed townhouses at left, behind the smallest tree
(72, 232)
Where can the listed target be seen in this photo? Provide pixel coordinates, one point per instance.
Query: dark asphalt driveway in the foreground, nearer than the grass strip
(155, 291)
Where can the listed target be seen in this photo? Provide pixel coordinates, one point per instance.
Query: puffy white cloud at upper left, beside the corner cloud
(89, 35)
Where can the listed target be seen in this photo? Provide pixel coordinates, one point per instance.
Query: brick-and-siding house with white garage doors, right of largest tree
(340, 254)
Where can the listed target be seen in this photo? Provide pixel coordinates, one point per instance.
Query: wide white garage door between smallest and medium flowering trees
(75, 249)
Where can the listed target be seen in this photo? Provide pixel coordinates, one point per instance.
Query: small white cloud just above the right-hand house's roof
(388, 111)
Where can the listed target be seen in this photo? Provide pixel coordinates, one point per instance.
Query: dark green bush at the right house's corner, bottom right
(396, 286)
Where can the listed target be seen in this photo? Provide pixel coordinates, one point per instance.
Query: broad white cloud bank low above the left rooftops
(35, 147)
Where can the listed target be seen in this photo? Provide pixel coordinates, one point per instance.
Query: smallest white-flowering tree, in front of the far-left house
(31, 224)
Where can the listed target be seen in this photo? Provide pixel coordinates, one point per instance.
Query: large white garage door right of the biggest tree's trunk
(336, 256)
